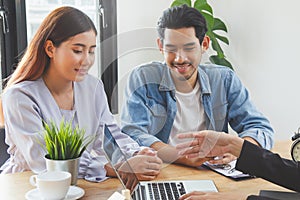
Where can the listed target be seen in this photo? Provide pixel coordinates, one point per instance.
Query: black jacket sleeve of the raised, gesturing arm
(269, 166)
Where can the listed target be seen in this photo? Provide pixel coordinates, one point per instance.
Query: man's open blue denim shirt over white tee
(150, 105)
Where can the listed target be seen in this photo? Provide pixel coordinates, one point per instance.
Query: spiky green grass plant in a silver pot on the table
(64, 146)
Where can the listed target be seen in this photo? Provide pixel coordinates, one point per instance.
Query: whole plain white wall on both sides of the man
(263, 50)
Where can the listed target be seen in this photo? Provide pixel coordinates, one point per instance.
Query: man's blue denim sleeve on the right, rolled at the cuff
(244, 117)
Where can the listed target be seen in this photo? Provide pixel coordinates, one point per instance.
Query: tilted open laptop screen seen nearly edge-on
(115, 156)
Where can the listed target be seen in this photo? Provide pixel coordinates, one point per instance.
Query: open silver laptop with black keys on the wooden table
(151, 190)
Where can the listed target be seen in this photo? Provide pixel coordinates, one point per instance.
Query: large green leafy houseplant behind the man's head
(214, 25)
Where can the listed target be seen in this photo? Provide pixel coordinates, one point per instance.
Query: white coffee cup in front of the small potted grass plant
(52, 184)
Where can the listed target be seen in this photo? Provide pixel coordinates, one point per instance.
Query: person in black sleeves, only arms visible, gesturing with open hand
(268, 165)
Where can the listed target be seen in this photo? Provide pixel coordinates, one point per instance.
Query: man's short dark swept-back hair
(182, 17)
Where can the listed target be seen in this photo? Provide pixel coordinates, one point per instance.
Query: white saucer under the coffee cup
(74, 192)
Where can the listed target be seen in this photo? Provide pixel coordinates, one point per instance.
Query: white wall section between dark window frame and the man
(137, 36)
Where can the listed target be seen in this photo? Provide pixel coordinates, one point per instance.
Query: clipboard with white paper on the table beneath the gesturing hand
(228, 170)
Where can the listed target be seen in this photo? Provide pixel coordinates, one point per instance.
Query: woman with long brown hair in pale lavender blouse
(51, 82)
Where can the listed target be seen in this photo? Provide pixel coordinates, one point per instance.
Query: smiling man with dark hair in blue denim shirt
(180, 95)
